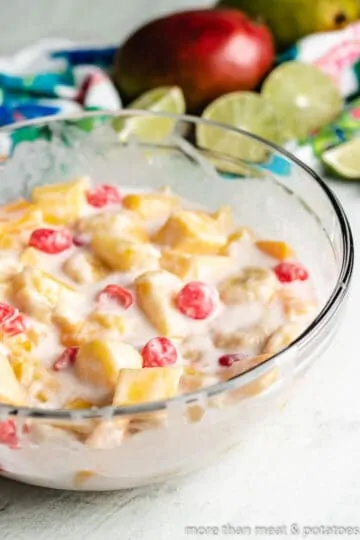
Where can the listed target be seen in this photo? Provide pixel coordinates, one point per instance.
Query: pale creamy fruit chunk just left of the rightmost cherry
(251, 284)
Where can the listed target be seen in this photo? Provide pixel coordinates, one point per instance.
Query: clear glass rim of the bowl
(330, 308)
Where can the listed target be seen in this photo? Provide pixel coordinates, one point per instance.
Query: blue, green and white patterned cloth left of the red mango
(53, 77)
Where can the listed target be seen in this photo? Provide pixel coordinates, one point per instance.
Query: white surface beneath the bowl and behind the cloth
(304, 469)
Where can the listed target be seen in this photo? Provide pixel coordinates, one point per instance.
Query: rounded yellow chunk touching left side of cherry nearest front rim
(99, 361)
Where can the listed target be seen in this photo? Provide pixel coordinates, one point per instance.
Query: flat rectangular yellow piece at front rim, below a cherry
(145, 385)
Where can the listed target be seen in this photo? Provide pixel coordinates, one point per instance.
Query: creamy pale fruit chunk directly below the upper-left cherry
(36, 293)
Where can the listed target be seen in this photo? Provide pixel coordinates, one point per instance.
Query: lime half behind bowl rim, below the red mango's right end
(245, 110)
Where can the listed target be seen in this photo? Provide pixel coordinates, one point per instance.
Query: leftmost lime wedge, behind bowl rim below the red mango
(167, 99)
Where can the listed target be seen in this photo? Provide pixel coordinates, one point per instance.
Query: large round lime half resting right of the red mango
(306, 98)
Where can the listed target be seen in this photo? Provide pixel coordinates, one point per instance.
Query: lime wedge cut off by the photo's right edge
(344, 160)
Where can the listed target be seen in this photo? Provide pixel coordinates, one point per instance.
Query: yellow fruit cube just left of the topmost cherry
(62, 203)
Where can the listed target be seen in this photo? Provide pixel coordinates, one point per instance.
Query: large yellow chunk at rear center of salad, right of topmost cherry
(192, 232)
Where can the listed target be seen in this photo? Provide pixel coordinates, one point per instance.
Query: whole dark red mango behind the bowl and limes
(206, 52)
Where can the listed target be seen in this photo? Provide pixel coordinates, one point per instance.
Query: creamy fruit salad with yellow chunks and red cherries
(112, 297)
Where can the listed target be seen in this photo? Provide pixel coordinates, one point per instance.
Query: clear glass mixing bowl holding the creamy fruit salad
(272, 192)
